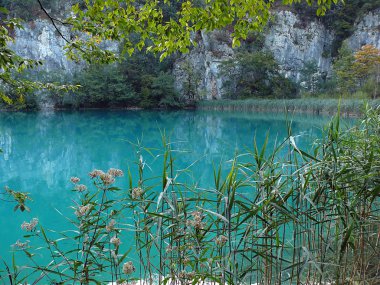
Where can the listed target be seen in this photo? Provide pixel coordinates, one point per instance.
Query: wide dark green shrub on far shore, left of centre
(133, 83)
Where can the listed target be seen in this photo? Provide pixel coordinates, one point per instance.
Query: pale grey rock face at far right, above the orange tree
(367, 31)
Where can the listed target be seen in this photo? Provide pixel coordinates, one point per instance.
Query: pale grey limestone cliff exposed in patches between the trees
(294, 42)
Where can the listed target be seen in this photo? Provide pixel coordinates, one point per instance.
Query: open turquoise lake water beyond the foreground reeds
(41, 151)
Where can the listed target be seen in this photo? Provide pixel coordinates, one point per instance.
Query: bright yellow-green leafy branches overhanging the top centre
(143, 23)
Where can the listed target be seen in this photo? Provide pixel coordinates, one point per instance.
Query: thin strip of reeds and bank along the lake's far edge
(348, 107)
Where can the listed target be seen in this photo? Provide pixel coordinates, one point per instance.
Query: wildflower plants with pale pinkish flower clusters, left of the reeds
(96, 256)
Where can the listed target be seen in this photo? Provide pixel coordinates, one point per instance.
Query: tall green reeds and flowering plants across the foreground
(275, 216)
